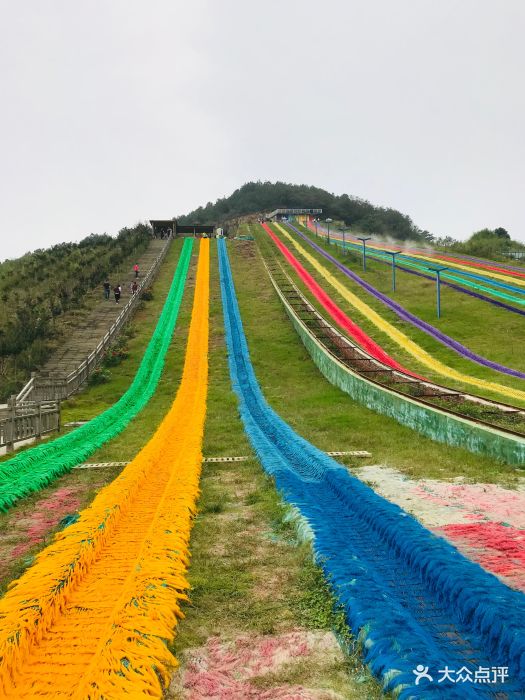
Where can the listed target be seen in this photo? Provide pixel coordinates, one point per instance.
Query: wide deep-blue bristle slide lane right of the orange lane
(409, 596)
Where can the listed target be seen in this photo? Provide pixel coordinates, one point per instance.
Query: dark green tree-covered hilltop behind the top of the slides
(264, 196)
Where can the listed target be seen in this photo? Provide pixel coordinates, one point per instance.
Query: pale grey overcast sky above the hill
(115, 111)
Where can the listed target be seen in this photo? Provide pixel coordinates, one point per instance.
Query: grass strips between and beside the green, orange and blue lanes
(250, 576)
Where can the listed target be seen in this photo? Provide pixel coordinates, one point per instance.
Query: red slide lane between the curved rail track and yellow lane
(335, 312)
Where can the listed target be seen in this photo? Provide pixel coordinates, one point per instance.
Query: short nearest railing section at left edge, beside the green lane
(22, 420)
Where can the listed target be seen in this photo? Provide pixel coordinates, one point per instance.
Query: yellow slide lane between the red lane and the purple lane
(400, 338)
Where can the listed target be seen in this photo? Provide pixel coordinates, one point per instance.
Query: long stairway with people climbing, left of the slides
(88, 328)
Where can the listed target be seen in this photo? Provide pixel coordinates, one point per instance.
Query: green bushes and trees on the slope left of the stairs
(38, 288)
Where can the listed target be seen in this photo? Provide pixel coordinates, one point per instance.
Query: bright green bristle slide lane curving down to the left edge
(37, 467)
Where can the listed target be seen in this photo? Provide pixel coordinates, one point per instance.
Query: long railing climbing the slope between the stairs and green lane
(54, 386)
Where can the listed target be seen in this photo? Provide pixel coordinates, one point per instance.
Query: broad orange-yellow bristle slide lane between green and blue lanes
(90, 618)
